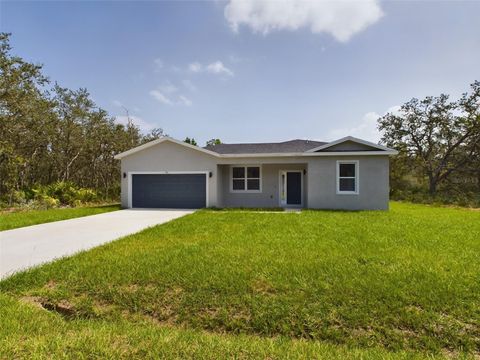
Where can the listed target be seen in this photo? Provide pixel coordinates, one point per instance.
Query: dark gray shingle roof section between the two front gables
(290, 146)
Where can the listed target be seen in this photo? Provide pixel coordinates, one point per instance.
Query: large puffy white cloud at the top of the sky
(341, 19)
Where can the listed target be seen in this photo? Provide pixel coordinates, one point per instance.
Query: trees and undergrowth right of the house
(438, 140)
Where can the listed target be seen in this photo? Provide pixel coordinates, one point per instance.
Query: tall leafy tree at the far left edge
(25, 113)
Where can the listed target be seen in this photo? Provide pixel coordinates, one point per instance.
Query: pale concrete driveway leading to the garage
(33, 245)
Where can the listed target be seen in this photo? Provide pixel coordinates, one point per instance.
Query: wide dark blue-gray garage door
(169, 191)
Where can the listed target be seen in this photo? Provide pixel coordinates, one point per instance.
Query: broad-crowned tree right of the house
(440, 135)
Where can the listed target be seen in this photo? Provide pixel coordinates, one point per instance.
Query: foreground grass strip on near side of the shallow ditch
(29, 332)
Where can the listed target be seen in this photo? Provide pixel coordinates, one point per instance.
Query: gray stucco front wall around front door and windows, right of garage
(319, 184)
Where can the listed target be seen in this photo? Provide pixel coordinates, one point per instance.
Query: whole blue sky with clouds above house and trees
(247, 71)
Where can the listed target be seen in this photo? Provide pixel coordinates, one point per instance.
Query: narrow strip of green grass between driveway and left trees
(16, 219)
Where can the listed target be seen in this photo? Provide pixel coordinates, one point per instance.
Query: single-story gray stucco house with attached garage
(348, 173)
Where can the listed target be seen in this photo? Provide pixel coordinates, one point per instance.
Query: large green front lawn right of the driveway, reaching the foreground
(323, 284)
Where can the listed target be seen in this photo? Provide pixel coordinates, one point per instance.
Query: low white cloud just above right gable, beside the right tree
(366, 129)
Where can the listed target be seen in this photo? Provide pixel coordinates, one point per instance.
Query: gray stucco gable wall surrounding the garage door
(168, 156)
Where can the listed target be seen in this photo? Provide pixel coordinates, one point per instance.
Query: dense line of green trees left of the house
(50, 134)
